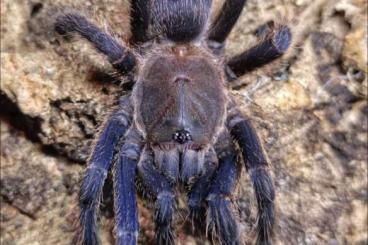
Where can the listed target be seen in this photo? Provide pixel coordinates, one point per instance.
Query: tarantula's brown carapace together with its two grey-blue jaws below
(179, 108)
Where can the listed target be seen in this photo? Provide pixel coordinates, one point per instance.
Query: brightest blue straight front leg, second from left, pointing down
(125, 203)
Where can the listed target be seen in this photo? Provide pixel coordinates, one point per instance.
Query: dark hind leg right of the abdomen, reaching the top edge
(225, 22)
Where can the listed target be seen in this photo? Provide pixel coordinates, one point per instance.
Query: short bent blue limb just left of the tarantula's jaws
(161, 189)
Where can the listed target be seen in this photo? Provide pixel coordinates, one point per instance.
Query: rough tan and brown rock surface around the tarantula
(310, 109)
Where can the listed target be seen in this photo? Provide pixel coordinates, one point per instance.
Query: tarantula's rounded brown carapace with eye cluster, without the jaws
(181, 93)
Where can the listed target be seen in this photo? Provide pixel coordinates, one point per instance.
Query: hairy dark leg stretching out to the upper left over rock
(119, 56)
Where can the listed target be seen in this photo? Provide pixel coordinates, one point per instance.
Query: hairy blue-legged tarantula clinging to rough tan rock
(180, 125)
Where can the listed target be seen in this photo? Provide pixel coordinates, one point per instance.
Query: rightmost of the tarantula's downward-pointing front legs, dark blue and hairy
(257, 165)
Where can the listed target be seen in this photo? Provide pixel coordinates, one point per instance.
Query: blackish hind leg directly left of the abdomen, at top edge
(140, 14)
